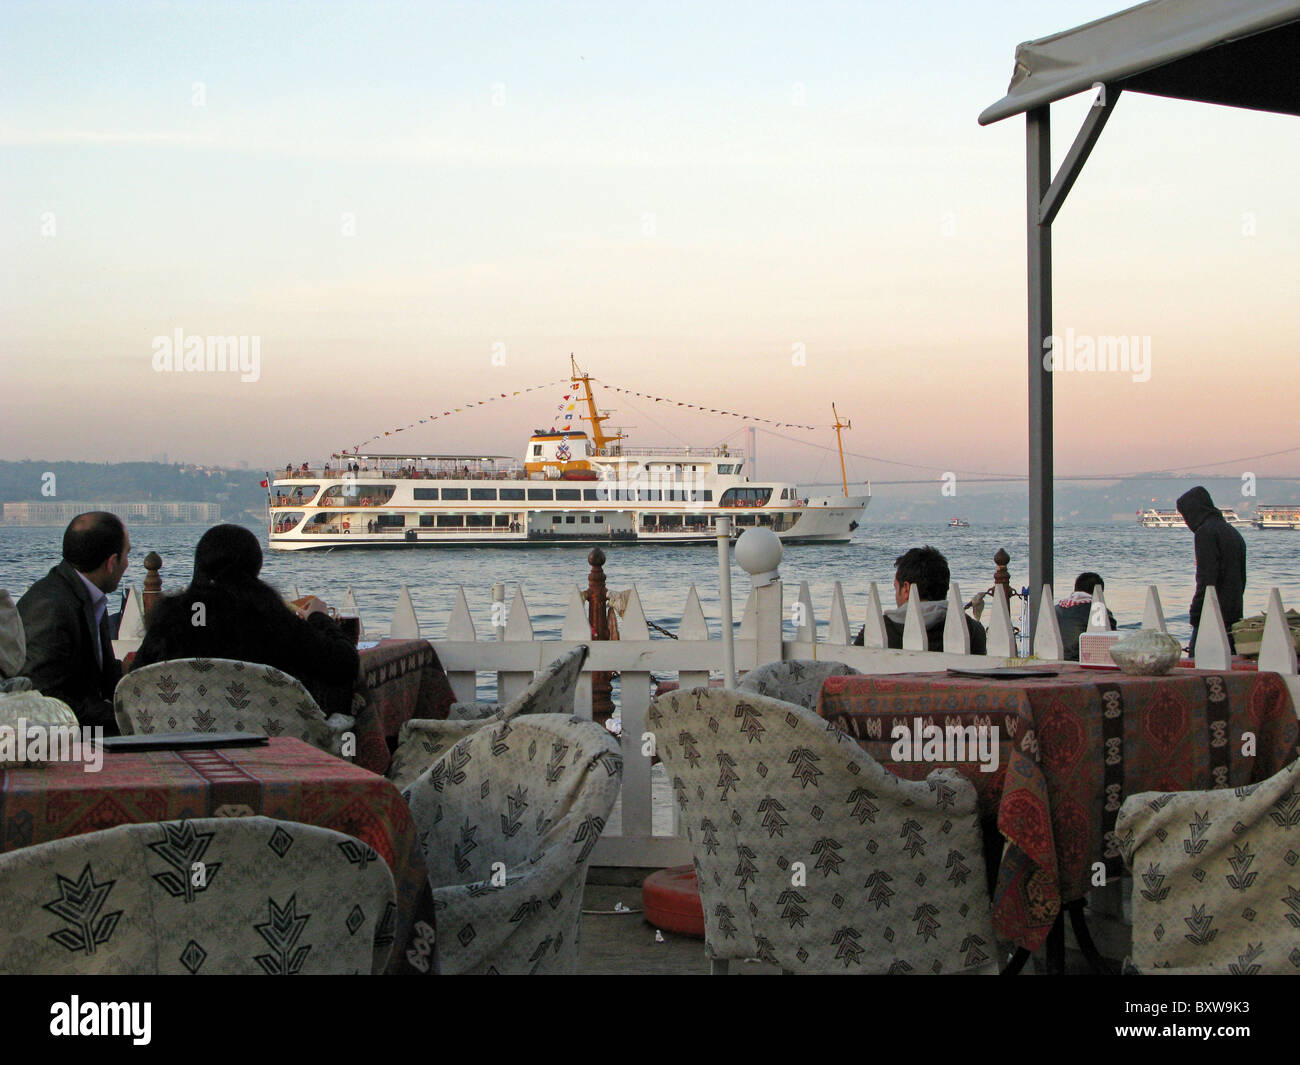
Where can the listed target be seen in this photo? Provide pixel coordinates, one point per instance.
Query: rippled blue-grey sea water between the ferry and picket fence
(1128, 557)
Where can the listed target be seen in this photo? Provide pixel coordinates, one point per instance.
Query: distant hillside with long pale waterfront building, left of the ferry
(135, 482)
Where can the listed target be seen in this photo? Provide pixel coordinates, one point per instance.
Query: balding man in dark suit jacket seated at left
(66, 618)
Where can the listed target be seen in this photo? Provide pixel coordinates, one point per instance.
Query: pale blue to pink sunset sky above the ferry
(753, 207)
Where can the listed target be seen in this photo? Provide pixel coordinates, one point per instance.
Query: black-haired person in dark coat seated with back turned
(228, 613)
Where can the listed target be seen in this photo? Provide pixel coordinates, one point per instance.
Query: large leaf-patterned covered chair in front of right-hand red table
(892, 876)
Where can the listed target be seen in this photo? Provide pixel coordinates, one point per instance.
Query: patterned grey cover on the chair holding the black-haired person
(220, 695)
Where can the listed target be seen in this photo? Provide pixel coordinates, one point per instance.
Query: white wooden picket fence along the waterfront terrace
(515, 656)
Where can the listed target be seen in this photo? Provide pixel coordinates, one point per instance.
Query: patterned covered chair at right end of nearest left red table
(508, 820)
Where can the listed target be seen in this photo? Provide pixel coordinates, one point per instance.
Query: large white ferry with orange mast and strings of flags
(570, 488)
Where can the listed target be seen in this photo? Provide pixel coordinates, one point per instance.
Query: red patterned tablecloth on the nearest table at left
(287, 780)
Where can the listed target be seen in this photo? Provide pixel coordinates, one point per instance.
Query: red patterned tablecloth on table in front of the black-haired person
(402, 679)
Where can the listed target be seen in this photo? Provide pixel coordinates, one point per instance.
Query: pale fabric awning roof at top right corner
(1237, 53)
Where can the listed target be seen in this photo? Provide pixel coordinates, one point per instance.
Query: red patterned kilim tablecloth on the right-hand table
(1071, 750)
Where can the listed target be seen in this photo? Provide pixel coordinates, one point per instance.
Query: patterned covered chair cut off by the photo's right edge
(1216, 878)
